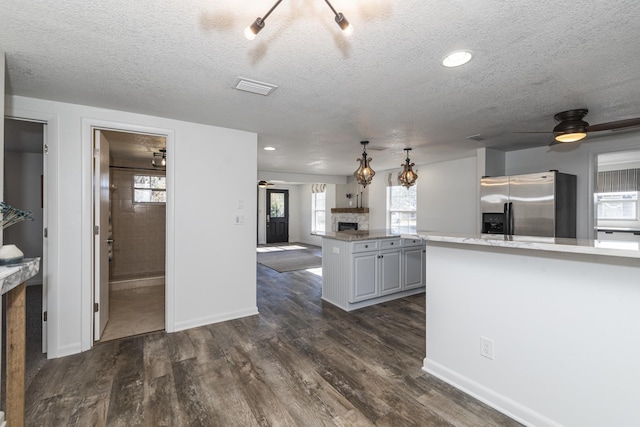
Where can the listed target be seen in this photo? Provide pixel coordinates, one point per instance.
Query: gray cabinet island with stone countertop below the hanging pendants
(366, 267)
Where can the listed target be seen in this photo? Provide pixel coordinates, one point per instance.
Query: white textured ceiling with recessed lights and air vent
(384, 84)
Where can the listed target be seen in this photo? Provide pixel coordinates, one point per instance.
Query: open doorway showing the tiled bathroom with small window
(130, 247)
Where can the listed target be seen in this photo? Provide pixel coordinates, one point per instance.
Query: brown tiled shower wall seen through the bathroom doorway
(138, 230)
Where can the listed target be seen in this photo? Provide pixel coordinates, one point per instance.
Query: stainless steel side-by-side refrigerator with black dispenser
(536, 204)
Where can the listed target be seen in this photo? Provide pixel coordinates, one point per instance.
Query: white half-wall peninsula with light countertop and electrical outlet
(543, 329)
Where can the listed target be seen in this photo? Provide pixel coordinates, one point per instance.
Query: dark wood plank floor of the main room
(301, 362)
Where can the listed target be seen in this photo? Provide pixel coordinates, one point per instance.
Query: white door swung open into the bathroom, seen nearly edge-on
(101, 232)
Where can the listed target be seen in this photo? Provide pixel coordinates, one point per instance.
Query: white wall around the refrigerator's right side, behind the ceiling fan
(577, 159)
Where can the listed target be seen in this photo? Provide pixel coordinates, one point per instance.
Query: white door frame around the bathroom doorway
(88, 256)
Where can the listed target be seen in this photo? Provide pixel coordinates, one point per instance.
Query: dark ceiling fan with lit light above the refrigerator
(571, 127)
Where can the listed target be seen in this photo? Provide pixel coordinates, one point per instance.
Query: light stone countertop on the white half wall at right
(552, 244)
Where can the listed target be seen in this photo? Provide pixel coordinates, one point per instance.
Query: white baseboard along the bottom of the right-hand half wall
(509, 407)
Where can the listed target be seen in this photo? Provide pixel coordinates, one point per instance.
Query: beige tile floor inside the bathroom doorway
(135, 311)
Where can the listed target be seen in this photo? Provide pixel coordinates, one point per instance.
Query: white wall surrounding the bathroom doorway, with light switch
(210, 261)
